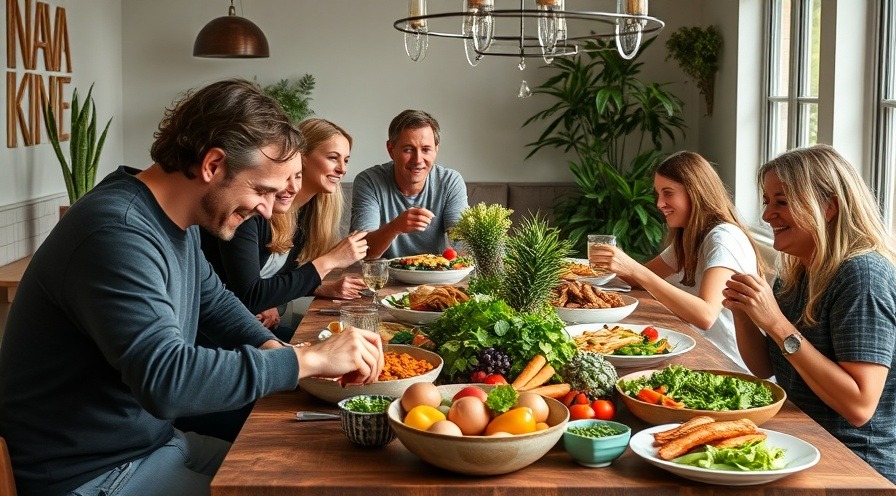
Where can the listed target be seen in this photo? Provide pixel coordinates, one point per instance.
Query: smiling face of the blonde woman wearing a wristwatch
(789, 237)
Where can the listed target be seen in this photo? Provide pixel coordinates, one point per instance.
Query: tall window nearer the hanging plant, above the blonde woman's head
(793, 73)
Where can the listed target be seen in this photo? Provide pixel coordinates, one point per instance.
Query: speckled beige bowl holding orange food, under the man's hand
(331, 391)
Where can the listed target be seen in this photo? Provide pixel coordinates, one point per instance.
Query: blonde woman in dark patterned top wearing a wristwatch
(827, 330)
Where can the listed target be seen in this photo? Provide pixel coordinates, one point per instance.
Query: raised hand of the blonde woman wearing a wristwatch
(751, 294)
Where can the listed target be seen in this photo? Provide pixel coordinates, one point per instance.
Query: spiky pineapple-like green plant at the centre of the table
(533, 265)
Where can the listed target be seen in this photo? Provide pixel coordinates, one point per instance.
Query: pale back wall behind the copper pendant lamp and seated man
(364, 78)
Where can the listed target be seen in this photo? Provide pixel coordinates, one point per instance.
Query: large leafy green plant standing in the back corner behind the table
(615, 125)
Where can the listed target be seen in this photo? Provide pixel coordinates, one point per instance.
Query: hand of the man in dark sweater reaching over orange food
(355, 356)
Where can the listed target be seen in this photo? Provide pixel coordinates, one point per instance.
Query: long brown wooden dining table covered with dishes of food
(275, 454)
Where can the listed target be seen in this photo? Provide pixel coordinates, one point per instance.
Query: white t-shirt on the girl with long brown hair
(725, 246)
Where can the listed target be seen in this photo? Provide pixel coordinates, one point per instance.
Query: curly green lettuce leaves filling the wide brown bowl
(701, 390)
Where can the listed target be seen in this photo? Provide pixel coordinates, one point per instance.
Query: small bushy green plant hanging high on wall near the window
(697, 52)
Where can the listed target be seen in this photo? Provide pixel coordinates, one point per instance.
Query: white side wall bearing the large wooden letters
(95, 35)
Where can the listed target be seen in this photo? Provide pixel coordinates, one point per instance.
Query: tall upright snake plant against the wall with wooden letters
(84, 146)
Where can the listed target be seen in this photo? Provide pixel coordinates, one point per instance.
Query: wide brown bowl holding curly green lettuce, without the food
(659, 414)
